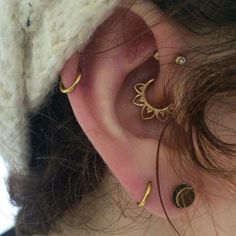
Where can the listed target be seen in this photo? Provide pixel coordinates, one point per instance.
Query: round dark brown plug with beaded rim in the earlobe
(183, 196)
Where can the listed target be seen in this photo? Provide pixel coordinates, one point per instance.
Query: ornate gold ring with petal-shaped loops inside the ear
(148, 111)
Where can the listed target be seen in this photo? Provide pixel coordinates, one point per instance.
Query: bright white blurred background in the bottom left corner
(7, 210)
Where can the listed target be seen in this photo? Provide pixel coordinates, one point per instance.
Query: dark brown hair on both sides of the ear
(65, 167)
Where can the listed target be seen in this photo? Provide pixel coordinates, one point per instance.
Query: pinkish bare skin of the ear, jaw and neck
(102, 104)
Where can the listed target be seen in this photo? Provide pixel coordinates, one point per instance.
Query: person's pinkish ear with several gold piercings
(120, 55)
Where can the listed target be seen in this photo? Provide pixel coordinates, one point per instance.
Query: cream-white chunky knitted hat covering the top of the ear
(36, 38)
